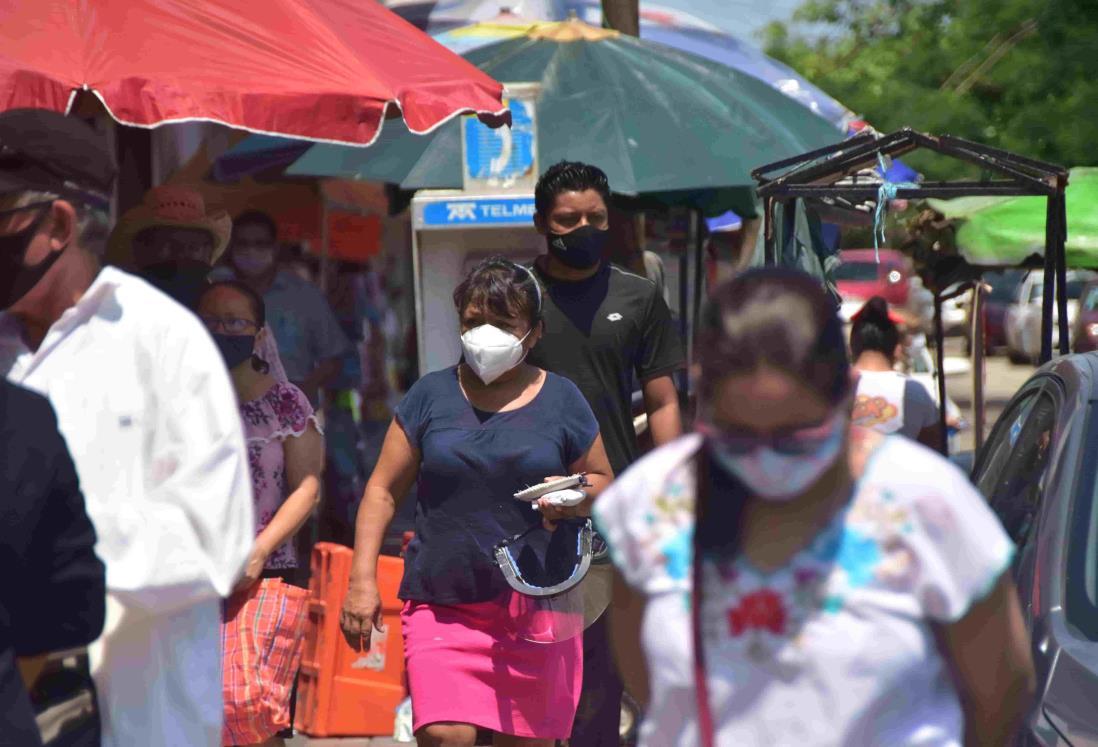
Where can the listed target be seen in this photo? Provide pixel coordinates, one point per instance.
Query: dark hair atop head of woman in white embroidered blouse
(778, 318)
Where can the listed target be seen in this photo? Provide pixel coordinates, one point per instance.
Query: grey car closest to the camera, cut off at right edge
(1039, 472)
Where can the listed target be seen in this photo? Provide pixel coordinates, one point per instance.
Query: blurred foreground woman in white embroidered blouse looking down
(843, 587)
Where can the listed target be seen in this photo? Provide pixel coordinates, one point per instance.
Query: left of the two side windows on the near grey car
(1015, 495)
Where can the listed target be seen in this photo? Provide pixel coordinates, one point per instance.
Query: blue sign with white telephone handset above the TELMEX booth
(503, 155)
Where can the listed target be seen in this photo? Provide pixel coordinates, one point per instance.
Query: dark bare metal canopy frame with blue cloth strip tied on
(820, 175)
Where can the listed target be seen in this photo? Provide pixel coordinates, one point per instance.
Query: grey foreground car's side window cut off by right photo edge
(1082, 597)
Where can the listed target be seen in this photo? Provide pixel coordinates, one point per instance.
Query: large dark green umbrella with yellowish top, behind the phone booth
(664, 125)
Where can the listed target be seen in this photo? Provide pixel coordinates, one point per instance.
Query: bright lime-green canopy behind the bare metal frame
(998, 231)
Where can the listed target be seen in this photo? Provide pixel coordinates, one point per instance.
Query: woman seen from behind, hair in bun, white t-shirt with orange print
(887, 400)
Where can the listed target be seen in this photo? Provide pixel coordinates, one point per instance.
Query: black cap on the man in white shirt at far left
(46, 151)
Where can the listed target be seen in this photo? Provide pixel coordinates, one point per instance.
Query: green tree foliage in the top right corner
(1021, 75)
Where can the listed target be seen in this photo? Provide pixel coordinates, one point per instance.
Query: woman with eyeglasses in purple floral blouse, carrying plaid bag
(286, 456)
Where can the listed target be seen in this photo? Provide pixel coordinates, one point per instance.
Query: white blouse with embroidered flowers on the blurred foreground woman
(836, 648)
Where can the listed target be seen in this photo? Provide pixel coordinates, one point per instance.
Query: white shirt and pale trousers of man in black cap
(151, 418)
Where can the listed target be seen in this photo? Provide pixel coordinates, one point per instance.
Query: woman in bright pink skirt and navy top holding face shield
(470, 437)
